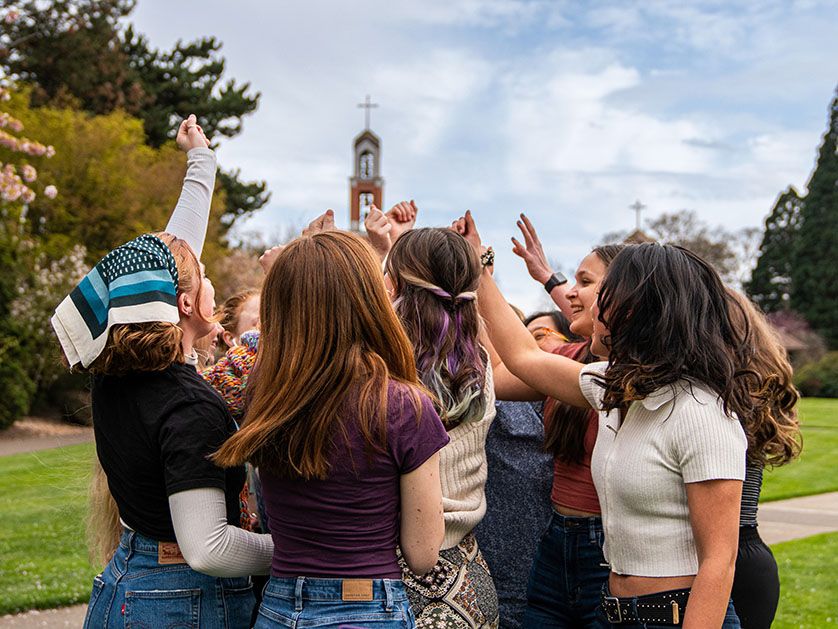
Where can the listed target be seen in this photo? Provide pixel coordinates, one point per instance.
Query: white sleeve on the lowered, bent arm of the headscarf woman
(209, 544)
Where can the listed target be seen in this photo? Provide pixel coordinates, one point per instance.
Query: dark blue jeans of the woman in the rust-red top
(567, 575)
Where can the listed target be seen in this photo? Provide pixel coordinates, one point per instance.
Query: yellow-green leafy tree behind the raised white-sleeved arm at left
(113, 185)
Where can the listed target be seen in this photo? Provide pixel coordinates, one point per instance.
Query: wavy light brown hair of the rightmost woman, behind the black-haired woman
(772, 429)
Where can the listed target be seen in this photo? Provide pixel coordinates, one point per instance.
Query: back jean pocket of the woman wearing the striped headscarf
(163, 609)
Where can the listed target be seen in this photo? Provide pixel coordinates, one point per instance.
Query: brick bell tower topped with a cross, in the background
(366, 185)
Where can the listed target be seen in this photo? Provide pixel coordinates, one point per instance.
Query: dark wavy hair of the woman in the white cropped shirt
(670, 318)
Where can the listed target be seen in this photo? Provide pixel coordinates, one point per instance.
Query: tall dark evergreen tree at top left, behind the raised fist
(79, 53)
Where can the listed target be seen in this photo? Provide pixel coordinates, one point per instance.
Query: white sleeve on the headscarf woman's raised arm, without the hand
(191, 214)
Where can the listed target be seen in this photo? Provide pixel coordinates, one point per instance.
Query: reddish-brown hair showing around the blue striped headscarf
(154, 345)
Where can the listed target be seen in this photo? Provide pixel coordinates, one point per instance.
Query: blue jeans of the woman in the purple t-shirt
(310, 602)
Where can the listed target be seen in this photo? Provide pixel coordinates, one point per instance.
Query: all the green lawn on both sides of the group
(43, 558)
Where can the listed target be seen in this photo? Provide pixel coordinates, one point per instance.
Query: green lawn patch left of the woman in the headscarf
(43, 502)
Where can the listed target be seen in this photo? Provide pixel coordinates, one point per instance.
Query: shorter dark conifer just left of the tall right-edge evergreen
(770, 283)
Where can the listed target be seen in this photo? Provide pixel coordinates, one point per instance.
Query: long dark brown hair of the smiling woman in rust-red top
(566, 425)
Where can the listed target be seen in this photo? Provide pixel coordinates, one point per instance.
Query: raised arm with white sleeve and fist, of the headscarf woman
(191, 214)
